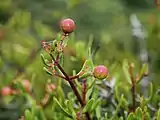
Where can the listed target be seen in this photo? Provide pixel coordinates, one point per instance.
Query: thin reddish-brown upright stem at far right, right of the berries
(133, 87)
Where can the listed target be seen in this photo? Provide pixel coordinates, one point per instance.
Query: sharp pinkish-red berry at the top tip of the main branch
(67, 25)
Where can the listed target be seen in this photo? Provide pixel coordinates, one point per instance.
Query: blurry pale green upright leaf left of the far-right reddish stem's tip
(125, 70)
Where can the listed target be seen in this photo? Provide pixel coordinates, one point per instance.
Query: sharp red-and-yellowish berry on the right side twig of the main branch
(100, 72)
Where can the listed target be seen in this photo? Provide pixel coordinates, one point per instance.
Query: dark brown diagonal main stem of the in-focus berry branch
(72, 86)
